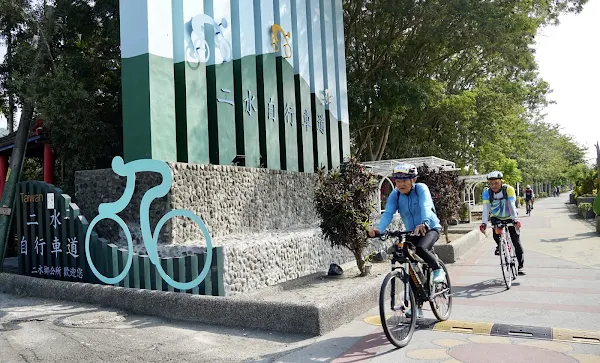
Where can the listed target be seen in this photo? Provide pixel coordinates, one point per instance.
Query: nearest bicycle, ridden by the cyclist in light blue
(409, 284)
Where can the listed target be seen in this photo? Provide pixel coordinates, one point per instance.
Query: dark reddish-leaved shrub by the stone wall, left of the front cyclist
(344, 200)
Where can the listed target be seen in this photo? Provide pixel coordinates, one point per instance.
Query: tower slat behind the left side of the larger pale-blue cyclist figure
(190, 84)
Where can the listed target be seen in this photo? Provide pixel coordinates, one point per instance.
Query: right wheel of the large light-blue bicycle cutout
(153, 249)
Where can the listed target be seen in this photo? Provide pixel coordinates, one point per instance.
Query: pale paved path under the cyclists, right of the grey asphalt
(560, 295)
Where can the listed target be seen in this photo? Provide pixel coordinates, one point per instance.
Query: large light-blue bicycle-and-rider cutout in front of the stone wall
(150, 238)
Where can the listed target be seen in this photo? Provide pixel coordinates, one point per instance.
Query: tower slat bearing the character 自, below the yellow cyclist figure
(266, 77)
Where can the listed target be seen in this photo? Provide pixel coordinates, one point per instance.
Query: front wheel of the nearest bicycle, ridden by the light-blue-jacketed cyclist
(398, 328)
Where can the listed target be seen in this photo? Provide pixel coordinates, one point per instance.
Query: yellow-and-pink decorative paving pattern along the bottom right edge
(493, 349)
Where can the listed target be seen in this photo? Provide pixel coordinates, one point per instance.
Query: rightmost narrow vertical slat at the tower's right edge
(342, 85)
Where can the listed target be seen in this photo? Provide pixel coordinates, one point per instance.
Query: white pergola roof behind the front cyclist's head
(385, 168)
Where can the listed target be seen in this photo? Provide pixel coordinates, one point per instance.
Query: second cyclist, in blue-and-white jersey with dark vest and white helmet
(499, 202)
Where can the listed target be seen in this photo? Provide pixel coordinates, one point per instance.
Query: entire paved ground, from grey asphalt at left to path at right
(560, 296)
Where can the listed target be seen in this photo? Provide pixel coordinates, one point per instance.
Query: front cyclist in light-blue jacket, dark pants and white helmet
(413, 201)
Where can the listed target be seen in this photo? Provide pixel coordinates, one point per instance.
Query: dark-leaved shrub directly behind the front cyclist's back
(445, 188)
